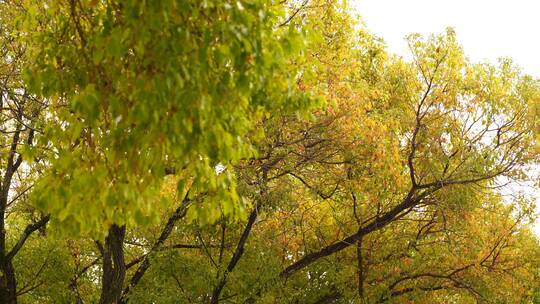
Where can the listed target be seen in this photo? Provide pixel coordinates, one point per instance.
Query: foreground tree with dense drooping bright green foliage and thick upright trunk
(140, 90)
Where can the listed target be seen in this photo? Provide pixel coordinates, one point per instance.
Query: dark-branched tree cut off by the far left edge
(21, 115)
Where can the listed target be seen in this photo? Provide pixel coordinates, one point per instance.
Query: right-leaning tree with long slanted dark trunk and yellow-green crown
(458, 113)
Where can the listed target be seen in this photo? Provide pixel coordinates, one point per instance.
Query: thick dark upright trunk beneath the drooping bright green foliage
(114, 267)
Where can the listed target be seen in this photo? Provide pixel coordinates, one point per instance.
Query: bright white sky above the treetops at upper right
(487, 29)
